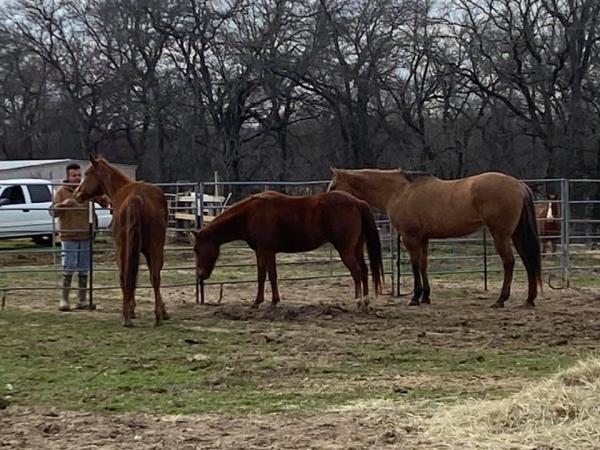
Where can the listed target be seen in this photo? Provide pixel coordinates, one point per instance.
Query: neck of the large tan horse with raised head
(378, 189)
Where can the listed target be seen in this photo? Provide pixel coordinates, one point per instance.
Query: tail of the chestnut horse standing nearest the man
(133, 216)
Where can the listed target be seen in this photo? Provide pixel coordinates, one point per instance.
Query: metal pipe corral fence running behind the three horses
(25, 267)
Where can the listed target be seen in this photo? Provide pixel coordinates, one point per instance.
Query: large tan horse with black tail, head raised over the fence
(422, 207)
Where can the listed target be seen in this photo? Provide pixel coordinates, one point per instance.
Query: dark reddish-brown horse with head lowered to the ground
(271, 222)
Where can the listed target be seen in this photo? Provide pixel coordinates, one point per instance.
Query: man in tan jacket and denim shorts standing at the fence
(73, 228)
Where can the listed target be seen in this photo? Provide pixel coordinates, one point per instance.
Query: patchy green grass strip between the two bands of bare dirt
(87, 364)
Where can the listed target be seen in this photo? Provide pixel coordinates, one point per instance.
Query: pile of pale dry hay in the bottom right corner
(560, 413)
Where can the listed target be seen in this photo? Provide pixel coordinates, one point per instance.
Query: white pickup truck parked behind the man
(24, 205)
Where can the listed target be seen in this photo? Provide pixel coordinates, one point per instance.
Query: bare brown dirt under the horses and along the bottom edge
(460, 317)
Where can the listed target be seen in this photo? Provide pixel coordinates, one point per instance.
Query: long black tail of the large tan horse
(527, 243)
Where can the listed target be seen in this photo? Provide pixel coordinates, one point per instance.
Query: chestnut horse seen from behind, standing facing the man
(139, 225)
